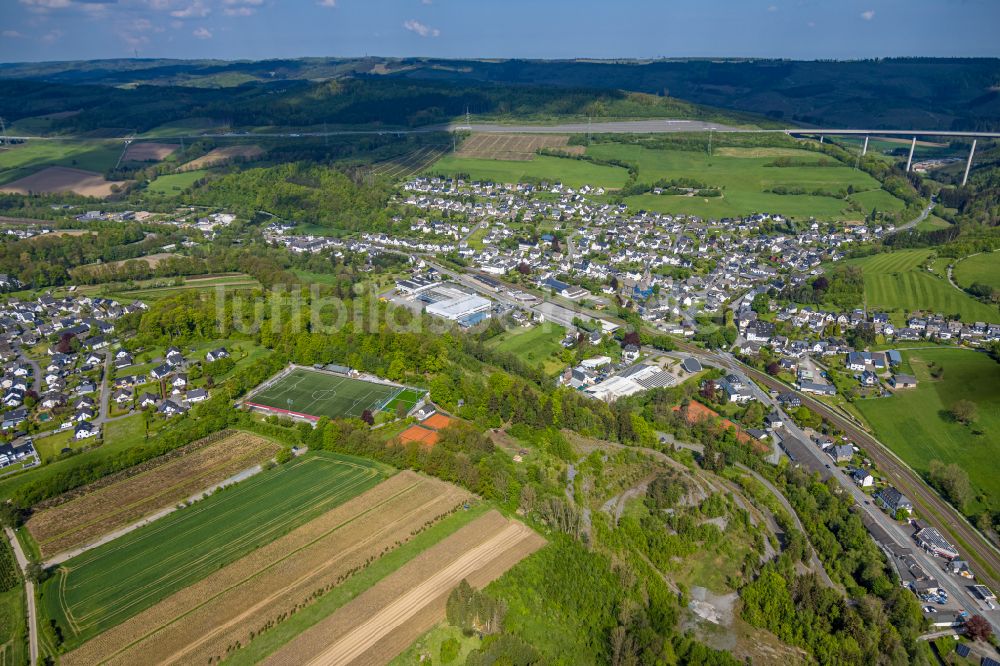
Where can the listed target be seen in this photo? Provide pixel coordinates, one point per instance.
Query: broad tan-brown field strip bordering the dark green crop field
(232, 604)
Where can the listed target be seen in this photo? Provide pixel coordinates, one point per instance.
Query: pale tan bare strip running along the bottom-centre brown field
(370, 632)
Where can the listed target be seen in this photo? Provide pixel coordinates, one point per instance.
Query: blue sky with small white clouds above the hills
(32, 30)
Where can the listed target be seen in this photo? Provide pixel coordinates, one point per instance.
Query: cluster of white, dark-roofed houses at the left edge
(59, 355)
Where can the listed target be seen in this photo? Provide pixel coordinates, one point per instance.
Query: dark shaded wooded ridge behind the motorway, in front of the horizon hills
(353, 101)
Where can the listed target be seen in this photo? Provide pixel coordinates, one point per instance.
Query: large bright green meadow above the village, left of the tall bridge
(744, 176)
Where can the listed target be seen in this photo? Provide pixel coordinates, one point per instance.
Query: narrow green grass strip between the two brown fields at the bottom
(272, 639)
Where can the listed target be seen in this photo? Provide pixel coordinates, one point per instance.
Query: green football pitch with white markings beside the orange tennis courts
(314, 394)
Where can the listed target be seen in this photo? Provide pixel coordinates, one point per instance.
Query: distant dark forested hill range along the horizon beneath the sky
(922, 93)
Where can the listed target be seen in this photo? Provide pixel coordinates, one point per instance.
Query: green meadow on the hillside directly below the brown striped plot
(573, 173)
